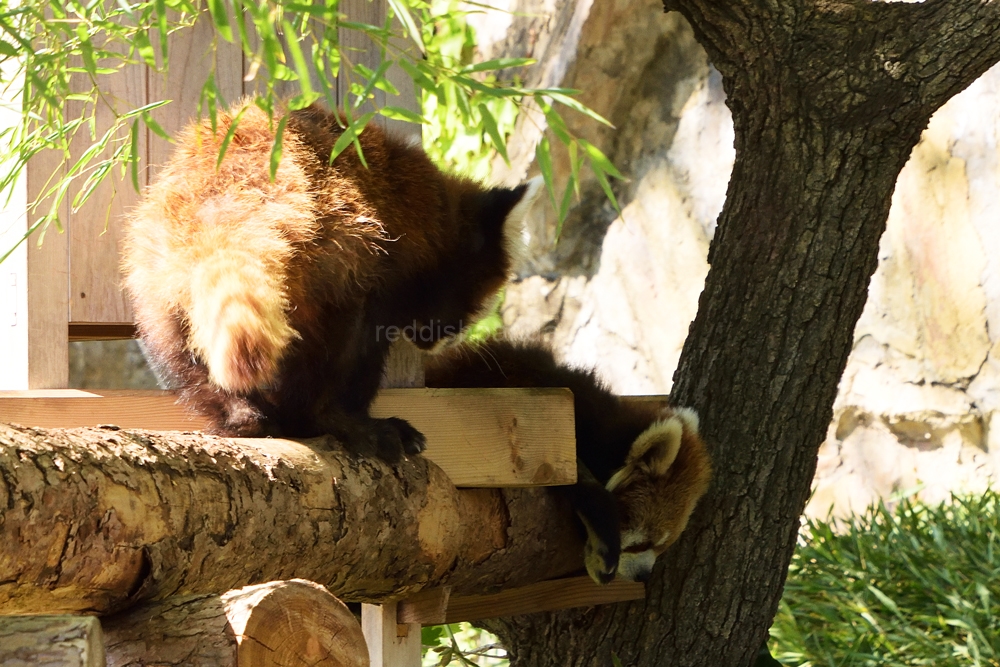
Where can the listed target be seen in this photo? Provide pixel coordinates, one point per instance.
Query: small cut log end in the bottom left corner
(51, 641)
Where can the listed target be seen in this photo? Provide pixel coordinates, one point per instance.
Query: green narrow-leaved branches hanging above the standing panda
(58, 56)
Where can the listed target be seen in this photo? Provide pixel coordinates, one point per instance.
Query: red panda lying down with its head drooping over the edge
(642, 467)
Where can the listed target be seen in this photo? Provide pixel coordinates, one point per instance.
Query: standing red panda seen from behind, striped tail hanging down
(271, 304)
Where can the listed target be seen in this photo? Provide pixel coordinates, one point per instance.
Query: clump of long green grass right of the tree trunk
(915, 585)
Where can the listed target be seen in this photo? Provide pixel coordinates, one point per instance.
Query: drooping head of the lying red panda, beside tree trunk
(666, 472)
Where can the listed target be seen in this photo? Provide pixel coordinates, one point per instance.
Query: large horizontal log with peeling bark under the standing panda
(97, 520)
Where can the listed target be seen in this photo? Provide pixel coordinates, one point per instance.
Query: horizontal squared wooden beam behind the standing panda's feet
(479, 437)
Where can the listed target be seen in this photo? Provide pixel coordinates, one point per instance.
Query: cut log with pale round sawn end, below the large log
(275, 624)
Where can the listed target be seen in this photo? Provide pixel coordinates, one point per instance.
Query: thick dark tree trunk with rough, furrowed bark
(828, 98)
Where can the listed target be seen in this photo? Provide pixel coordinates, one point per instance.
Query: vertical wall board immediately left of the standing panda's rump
(96, 228)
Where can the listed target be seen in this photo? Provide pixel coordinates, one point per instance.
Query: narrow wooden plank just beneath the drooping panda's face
(427, 608)
